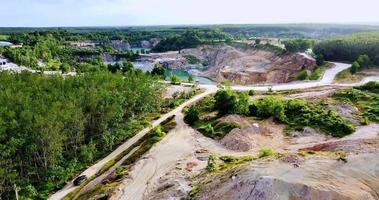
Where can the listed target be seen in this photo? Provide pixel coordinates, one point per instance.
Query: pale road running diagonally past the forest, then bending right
(326, 80)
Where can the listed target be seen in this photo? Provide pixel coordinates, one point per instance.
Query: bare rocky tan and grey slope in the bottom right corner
(320, 178)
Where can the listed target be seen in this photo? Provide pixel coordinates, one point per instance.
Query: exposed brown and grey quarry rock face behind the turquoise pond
(249, 66)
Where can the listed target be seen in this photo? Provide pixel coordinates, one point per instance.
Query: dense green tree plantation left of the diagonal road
(51, 127)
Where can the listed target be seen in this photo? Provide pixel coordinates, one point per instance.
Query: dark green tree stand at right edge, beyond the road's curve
(349, 48)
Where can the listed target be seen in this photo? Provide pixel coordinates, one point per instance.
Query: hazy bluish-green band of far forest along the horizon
(316, 31)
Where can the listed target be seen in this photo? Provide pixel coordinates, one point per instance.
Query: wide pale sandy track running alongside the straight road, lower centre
(160, 160)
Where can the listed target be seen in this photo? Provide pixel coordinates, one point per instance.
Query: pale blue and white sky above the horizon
(53, 13)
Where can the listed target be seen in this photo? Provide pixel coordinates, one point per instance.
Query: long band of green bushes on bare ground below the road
(295, 113)
